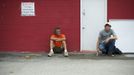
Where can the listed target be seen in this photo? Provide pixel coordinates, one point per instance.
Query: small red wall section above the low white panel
(120, 9)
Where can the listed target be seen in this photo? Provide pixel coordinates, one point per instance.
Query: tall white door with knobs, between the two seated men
(93, 18)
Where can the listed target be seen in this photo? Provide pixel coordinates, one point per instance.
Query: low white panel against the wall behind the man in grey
(124, 28)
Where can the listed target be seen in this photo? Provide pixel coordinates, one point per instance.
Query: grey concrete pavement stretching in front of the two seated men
(76, 64)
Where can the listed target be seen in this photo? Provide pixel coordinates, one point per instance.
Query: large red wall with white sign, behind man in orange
(31, 34)
